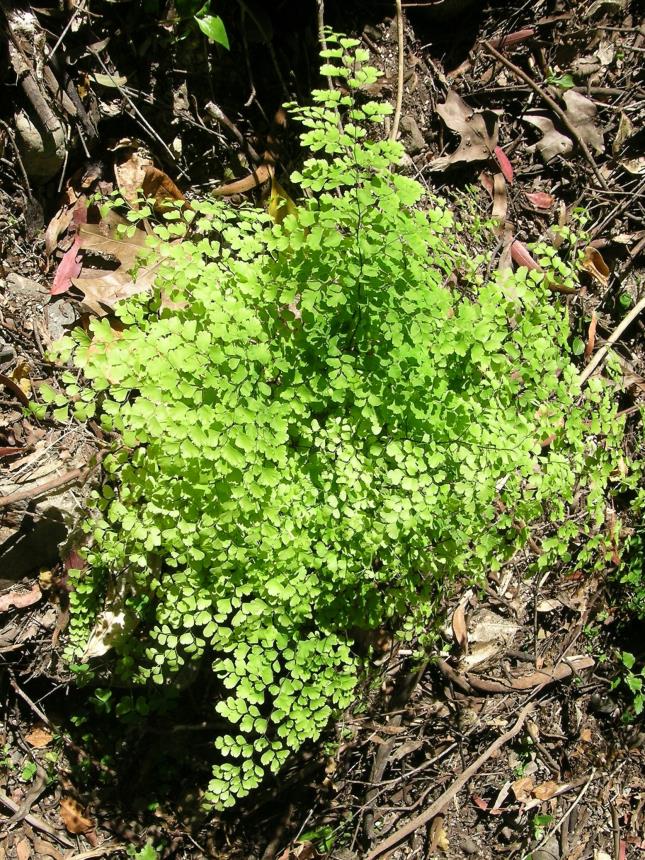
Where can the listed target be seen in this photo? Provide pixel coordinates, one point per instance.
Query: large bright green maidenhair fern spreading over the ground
(323, 422)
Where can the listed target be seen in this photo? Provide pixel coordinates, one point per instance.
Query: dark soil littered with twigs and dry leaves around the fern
(126, 87)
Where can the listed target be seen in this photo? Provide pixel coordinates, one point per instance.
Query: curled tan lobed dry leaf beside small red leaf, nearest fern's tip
(477, 131)
